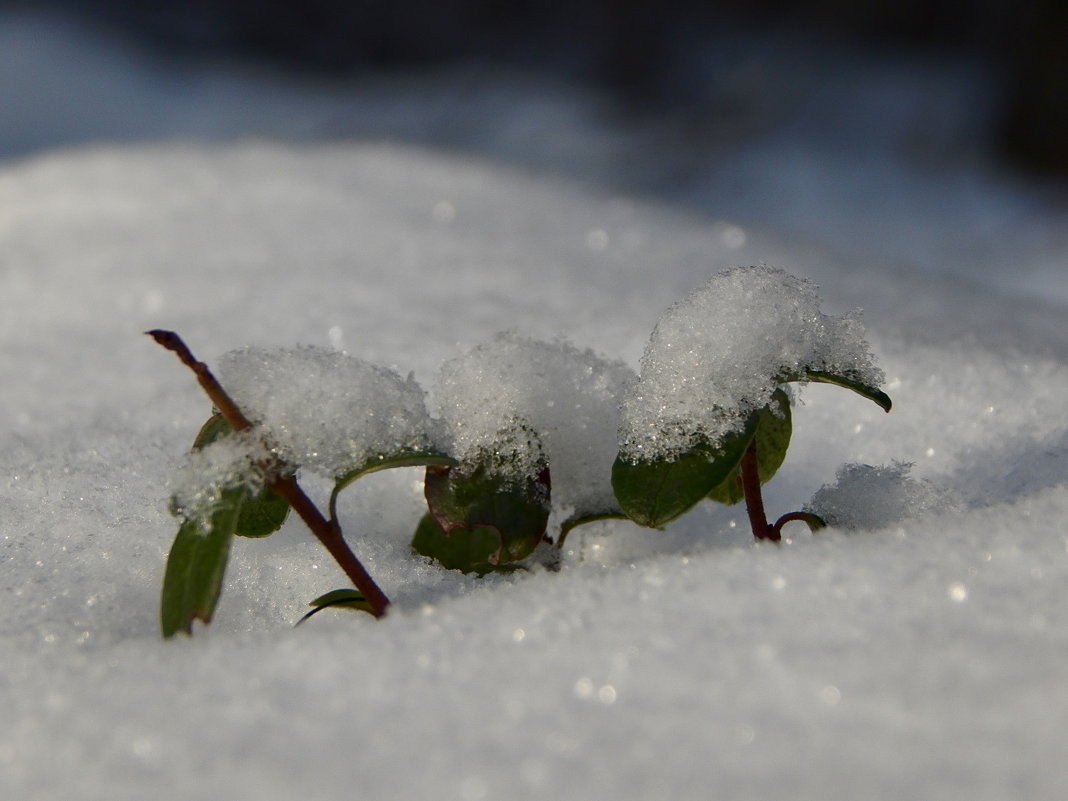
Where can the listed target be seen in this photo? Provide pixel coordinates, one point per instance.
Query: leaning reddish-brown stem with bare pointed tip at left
(327, 531)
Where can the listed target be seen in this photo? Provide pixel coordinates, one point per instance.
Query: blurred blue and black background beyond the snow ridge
(928, 134)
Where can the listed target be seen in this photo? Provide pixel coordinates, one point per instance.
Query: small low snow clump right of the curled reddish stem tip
(868, 497)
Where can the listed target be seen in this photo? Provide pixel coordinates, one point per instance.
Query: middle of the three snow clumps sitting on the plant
(515, 403)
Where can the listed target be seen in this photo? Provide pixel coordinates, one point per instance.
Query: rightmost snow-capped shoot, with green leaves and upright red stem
(710, 418)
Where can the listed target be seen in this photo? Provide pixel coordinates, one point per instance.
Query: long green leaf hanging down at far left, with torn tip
(196, 567)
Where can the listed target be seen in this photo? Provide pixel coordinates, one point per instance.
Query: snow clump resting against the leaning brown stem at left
(325, 411)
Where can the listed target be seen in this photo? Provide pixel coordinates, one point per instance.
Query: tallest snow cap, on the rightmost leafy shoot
(719, 354)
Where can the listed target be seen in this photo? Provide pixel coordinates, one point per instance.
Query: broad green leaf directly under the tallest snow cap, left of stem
(655, 493)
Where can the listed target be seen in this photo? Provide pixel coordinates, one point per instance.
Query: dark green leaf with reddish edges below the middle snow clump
(464, 504)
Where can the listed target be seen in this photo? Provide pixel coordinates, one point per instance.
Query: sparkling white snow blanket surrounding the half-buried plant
(921, 657)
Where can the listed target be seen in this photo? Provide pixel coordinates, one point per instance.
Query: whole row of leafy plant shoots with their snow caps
(525, 433)
